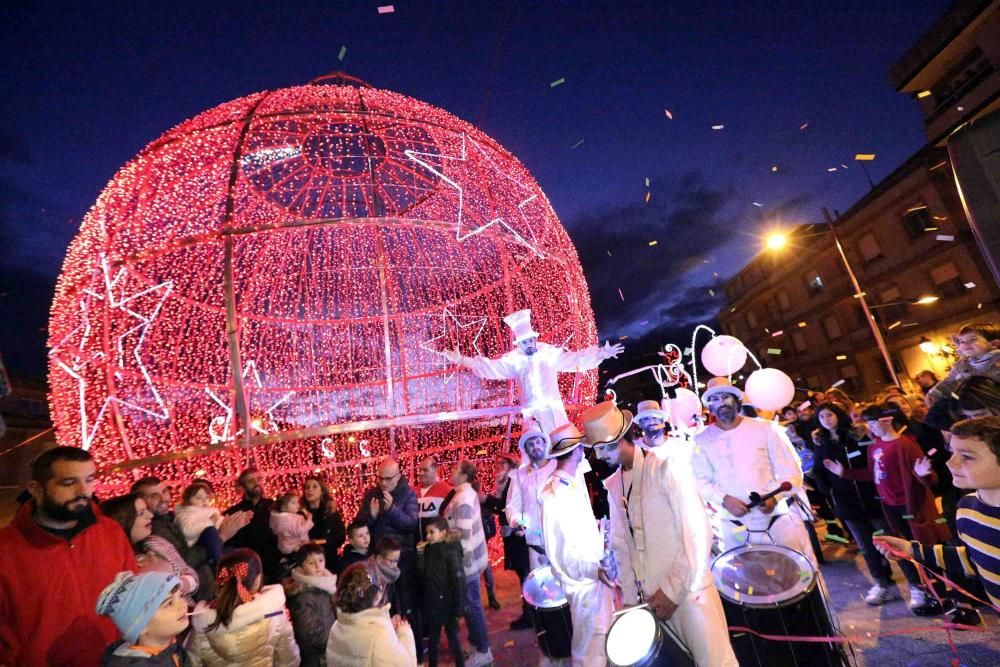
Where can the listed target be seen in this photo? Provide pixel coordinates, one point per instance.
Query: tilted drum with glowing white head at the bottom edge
(638, 639)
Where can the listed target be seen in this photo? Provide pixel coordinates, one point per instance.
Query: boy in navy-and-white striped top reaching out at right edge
(974, 464)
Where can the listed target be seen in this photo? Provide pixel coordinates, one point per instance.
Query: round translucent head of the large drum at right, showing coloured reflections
(763, 575)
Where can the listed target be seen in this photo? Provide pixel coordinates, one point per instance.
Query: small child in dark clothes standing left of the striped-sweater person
(439, 561)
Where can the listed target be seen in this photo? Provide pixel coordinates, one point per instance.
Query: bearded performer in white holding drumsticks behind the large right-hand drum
(738, 455)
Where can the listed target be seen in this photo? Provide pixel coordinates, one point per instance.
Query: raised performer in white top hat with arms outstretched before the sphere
(536, 367)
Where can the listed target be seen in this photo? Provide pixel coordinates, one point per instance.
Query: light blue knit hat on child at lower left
(132, 599)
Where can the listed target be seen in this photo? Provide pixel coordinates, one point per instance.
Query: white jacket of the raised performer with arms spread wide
(537, 376)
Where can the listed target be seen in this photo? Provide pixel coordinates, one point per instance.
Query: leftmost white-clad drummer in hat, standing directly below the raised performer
(523, 507)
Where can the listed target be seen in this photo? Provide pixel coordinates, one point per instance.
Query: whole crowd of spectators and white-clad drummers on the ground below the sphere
(137, 580)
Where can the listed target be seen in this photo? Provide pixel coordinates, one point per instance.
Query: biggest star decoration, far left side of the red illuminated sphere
(73, 357)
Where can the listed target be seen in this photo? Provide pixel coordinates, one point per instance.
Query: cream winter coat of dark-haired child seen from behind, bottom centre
(366, 639)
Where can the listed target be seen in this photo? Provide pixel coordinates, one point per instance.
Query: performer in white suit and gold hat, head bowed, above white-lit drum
(661, 538)
